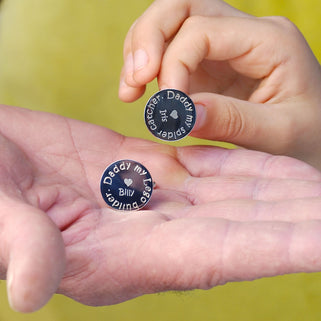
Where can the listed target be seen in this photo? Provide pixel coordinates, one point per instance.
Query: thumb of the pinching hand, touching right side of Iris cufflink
(251, 125)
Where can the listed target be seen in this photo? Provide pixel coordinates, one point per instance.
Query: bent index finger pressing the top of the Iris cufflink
(237, 40)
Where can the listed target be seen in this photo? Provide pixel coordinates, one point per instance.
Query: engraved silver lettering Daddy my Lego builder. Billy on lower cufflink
(108, 180)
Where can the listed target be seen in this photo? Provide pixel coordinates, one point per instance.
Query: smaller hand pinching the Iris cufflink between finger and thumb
(255, 81)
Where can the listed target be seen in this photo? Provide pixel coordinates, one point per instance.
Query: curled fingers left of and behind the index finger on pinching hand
(146, 40)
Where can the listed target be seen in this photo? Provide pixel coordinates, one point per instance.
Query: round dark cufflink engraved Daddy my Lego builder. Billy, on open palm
(126, 185)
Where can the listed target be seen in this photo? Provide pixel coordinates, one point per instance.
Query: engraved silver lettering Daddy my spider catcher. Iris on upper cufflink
(170, 95)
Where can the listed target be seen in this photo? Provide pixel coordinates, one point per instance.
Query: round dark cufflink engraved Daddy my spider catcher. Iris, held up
(170, 115)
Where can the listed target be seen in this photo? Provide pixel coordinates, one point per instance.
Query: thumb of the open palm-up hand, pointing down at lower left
(33, 251)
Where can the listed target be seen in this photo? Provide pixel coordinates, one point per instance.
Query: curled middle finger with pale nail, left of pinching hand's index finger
(145, 43)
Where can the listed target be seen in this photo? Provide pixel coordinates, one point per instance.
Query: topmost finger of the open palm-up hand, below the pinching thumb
(217, 161)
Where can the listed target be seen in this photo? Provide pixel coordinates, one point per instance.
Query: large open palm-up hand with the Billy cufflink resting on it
(215, 216)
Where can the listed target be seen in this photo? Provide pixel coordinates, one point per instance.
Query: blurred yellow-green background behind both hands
(64, 56)
